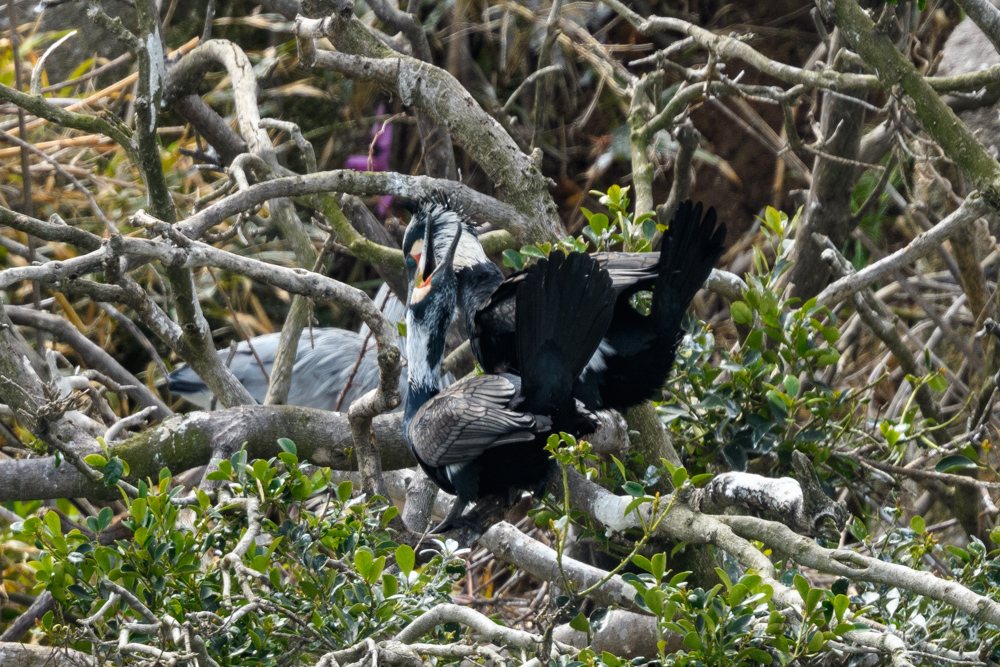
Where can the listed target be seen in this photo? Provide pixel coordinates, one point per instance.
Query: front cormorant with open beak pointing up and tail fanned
(486, 435)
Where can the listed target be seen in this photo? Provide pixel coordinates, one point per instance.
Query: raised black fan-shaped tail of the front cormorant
(564, 306)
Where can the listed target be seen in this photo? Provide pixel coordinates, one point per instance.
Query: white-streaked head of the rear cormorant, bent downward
(444, 216)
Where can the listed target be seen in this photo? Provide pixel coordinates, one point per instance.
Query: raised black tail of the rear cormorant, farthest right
(691, 247)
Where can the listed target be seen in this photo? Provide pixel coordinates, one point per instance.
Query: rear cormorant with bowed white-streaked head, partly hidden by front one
(637, 353)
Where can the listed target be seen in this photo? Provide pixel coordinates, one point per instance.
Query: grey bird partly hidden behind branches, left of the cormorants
(324, 363)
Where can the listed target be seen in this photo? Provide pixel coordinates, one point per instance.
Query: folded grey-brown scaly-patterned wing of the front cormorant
(466, 419)
